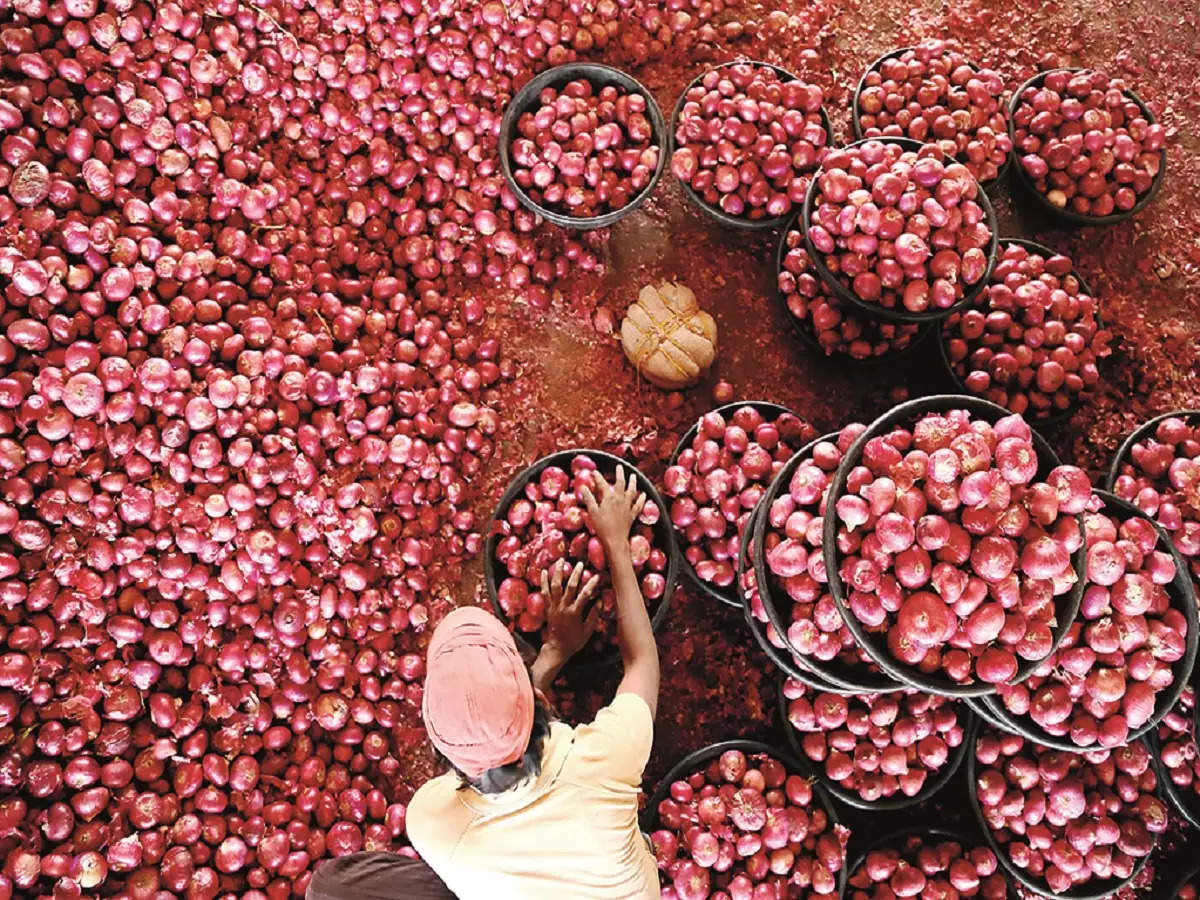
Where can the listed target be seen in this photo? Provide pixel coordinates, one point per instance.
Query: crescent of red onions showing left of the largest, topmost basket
(794, 556)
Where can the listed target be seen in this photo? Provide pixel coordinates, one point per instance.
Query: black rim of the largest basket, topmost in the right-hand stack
(872, 643)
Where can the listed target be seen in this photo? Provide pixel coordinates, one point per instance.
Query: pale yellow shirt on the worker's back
(571, 835)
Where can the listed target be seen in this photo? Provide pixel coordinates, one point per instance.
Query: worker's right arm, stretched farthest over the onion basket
(614, 509)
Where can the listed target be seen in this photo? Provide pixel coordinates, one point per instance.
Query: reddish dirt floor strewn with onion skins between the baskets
(577, 389)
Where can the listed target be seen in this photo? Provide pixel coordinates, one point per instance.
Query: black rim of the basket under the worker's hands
(607, 464)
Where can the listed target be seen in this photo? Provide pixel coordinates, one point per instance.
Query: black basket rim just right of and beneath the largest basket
(1183, 597)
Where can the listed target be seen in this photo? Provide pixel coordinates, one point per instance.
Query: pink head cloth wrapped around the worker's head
(478, 701)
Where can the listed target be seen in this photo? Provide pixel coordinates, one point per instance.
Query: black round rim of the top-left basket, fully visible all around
(599, 76)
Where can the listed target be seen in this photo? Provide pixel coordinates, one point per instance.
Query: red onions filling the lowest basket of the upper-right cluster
(1033, 340)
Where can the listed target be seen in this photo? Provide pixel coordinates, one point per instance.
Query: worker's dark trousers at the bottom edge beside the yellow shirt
(376, 877)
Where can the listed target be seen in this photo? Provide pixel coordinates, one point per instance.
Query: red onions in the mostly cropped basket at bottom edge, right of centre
(928, 866)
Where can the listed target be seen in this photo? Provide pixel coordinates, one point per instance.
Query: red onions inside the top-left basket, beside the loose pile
(585, 152)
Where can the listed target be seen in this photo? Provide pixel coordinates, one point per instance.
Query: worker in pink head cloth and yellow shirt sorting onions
(535, 809)
